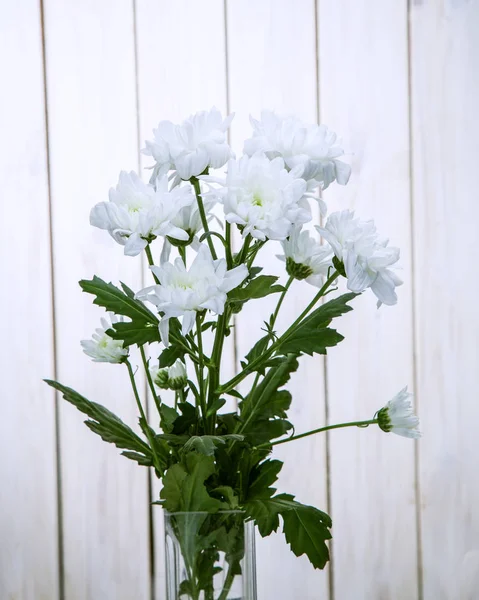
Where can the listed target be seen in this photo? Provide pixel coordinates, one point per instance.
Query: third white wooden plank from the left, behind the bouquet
(181, 70)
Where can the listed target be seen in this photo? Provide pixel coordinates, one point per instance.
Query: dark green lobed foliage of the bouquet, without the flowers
(230, 469)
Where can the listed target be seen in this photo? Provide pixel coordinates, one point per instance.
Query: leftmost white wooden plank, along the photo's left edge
(28, 515)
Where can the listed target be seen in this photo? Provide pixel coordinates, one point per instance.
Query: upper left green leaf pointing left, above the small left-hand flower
(121, 303)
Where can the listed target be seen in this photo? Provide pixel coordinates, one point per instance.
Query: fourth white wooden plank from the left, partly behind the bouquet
(272, 64)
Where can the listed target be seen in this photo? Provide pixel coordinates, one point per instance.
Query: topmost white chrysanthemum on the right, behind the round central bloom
(313, 147)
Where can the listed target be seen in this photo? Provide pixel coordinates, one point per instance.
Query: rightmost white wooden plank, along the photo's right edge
(445, 133)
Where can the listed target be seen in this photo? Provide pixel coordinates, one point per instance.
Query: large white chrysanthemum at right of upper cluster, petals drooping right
(365, 256)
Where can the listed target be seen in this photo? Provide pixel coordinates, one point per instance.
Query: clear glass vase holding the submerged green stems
(210, 556)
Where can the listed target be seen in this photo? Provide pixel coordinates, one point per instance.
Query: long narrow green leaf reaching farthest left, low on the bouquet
(103, 422)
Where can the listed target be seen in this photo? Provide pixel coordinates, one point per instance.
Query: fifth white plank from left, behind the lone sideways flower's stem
(364, 97)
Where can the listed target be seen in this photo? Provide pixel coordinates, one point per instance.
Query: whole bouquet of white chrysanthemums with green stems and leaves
(215, 467)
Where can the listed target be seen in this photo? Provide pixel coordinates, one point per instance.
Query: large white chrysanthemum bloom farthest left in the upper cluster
(138, 212)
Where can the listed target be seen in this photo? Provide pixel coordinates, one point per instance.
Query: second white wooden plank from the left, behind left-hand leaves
(92, 107)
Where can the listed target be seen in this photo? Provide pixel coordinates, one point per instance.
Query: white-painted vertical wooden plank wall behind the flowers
(401, 85)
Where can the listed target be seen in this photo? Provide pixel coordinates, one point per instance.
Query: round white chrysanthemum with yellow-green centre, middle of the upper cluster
(264, 198)
